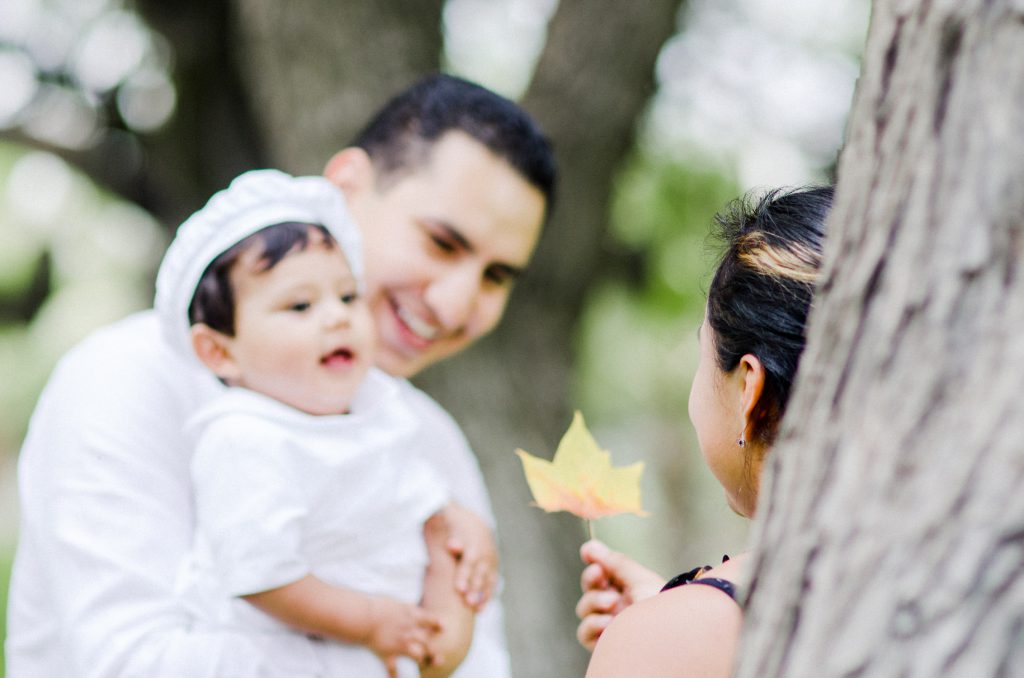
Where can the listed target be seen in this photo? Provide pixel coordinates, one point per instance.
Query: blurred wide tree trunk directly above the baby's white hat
(318, 70)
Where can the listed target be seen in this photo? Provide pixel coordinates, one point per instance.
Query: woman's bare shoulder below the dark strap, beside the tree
(688, 631)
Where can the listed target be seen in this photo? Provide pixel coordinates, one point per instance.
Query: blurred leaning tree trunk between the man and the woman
(593, 80)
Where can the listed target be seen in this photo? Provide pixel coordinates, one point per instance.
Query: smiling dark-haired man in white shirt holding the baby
(451, 185)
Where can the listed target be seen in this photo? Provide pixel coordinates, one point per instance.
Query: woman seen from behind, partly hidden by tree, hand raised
(751, 342)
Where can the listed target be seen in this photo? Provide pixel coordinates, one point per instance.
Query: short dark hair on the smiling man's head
(401, 137)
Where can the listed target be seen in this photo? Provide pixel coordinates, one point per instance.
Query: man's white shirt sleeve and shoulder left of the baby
(107, 519)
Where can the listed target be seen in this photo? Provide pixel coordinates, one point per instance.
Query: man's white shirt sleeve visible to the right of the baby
(446, 448)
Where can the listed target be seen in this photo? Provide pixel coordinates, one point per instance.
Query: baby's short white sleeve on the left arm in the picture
(250, 505)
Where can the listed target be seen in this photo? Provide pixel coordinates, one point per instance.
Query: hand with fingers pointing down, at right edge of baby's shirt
(472, 542)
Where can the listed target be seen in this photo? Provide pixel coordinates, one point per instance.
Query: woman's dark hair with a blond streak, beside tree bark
(762, 289)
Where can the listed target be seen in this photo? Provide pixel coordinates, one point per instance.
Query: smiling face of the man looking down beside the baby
(444, 245)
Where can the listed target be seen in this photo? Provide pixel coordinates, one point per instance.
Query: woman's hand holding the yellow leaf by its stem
(611, 582)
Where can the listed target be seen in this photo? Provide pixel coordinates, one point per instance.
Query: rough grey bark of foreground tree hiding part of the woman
(891, 535)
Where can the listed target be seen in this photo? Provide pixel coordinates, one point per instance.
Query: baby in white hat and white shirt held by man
(313, 507)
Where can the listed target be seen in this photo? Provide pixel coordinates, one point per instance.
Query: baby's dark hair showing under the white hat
(214, 304)
